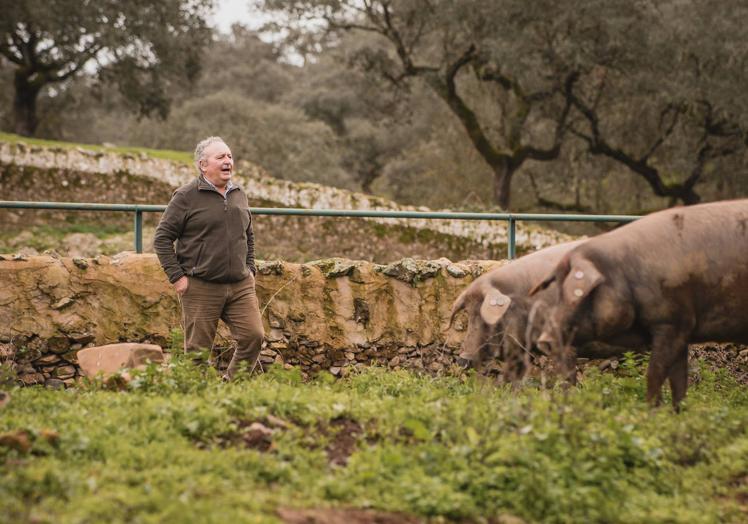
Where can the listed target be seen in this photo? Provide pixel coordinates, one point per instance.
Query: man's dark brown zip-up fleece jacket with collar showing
(213, 234)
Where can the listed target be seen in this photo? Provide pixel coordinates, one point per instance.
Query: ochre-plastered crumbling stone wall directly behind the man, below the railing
(332, 314)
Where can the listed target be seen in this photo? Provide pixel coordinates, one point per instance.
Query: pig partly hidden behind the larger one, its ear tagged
(497, 304)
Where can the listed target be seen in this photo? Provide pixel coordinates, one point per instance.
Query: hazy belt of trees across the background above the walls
(596, 106)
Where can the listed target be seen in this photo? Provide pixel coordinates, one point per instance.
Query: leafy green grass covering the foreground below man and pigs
(172, 447)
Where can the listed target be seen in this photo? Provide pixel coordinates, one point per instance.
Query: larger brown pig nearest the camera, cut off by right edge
(667, 280)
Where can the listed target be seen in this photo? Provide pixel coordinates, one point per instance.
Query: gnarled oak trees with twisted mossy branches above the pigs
(526, 78)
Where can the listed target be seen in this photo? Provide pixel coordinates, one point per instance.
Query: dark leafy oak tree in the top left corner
(140, 46)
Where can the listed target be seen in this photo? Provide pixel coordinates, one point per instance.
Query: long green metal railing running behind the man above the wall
(511, 218)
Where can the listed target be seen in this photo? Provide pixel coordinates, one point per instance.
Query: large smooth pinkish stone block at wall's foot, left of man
(112, 357)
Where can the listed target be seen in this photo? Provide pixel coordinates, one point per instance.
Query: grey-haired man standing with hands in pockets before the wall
(213, 267)
